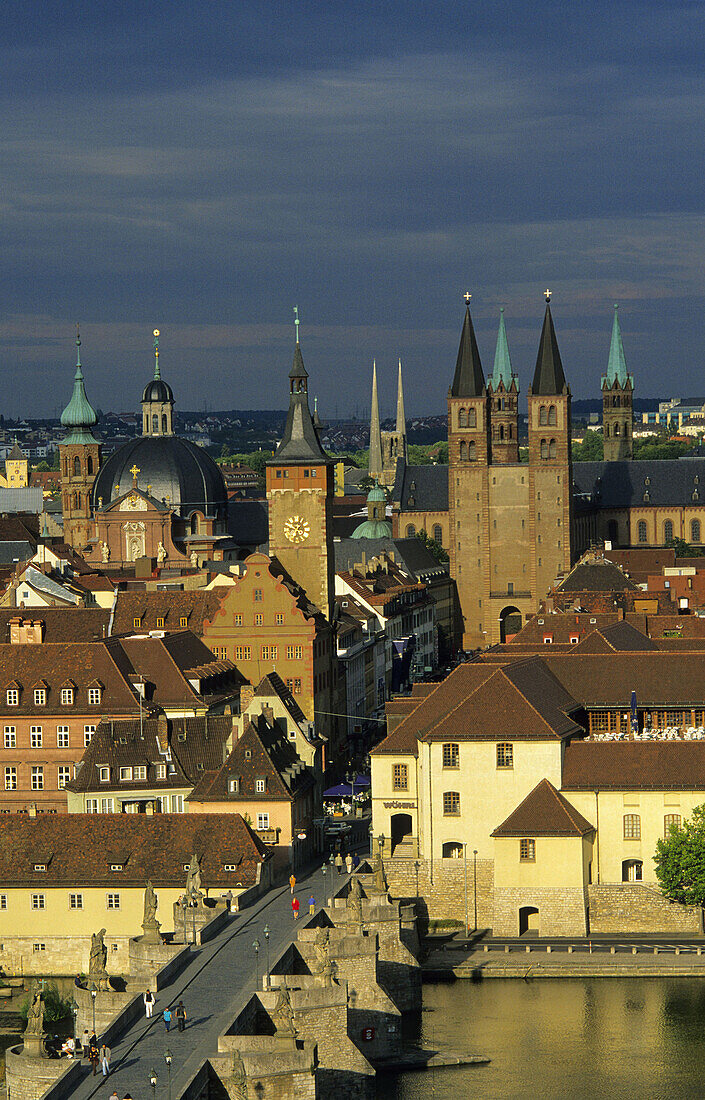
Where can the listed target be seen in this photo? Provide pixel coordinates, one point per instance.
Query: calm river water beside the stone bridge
(578, 1039)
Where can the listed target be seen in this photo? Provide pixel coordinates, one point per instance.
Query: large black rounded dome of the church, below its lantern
(170, 469)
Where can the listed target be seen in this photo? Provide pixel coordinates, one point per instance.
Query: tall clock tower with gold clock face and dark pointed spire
(301, 497)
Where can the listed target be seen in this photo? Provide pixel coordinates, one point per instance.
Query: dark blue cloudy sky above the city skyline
(202, 168)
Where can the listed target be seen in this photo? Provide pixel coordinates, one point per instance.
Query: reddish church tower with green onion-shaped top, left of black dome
(80, 459)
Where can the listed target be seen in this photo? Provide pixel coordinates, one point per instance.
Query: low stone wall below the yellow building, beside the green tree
(634, 908)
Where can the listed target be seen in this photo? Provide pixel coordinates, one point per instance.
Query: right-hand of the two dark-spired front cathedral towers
(550, 464)
